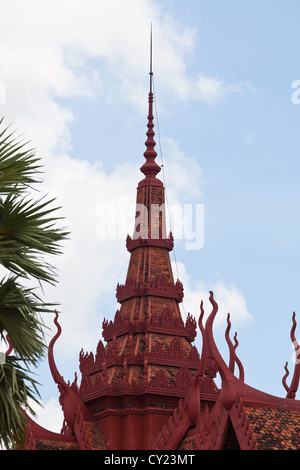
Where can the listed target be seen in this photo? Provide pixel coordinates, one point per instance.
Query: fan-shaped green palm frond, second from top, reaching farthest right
(27, 230)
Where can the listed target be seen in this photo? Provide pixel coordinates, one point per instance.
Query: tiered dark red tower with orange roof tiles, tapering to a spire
(149, 361)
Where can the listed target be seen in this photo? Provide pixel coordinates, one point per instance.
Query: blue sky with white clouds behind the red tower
(76, 82)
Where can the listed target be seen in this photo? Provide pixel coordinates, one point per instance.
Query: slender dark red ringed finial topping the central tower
(150, 168)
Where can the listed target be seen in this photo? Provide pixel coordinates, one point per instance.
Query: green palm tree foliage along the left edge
(28, 235)
